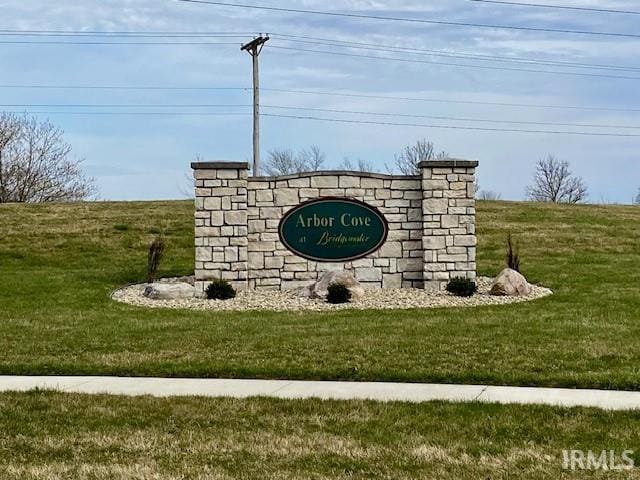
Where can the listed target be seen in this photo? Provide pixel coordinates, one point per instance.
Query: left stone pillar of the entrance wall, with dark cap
(221, 223)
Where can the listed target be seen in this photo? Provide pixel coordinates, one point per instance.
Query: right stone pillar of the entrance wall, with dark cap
(448, 212)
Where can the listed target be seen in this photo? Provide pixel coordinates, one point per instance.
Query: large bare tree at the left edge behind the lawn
(35, 163)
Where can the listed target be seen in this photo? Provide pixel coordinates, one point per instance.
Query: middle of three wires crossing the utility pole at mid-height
(312, 109)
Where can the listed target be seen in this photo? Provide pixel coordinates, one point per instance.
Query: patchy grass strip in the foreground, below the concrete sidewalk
(48, 436)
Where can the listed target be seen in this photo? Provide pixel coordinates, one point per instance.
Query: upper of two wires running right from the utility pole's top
(451, 54)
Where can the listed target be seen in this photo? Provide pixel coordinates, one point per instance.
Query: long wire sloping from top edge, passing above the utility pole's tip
(410, 20)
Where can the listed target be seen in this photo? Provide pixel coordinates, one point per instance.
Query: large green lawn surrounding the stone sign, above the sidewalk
(58, 264)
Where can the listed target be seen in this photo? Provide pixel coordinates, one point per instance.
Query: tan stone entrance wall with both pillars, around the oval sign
(431, 221)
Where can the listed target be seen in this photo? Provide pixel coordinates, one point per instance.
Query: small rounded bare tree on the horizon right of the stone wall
(554, 182)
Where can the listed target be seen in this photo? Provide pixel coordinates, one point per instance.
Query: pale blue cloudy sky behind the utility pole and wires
(147, 157)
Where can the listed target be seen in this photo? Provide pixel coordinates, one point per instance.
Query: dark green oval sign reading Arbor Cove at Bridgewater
(333, 229)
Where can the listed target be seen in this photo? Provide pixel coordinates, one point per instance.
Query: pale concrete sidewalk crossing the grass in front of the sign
(409, 392)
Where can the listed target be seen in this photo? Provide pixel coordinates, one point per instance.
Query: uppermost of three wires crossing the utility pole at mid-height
(322, 93)
